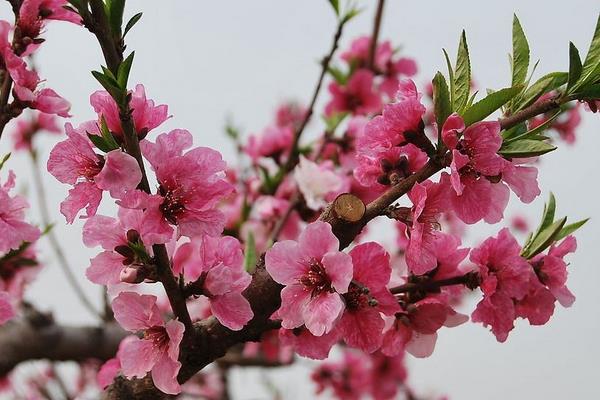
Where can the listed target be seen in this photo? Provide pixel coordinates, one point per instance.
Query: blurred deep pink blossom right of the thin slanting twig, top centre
(356, 97)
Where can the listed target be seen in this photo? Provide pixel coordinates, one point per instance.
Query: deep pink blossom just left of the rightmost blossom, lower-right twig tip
(505, 278)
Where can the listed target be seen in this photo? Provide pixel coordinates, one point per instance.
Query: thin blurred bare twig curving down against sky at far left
(52, 239)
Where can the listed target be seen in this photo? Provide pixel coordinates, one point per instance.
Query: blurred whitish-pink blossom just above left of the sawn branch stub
(317, 183)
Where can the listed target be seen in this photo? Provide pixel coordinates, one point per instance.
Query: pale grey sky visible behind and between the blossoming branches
(208, 60)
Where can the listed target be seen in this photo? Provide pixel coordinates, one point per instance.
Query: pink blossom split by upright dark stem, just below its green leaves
(146, 116)
